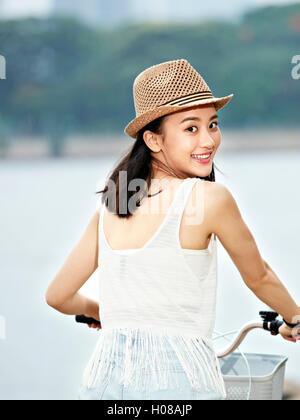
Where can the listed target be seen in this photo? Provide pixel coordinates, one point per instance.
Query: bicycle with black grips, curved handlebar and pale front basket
(266, 372)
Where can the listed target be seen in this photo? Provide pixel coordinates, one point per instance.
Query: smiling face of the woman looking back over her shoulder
(188, 133)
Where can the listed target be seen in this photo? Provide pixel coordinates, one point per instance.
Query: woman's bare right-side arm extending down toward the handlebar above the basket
(224, 219)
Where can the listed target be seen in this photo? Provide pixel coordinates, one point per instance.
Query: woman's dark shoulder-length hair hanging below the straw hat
(137, 164)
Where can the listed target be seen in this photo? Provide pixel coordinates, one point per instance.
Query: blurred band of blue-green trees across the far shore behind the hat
(64, 77)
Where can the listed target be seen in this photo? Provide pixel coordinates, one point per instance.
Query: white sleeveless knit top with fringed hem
(160, 292)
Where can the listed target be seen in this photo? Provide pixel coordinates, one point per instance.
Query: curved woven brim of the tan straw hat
(139, 122)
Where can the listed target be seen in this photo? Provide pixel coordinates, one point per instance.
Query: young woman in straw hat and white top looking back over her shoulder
(154, 241)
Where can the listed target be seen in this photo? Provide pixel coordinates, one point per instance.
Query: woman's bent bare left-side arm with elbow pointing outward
(62, 293)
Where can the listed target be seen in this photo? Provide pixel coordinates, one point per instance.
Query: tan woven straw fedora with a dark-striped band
(168, 87)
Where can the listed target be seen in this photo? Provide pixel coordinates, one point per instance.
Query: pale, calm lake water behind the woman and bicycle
(45, 207)
